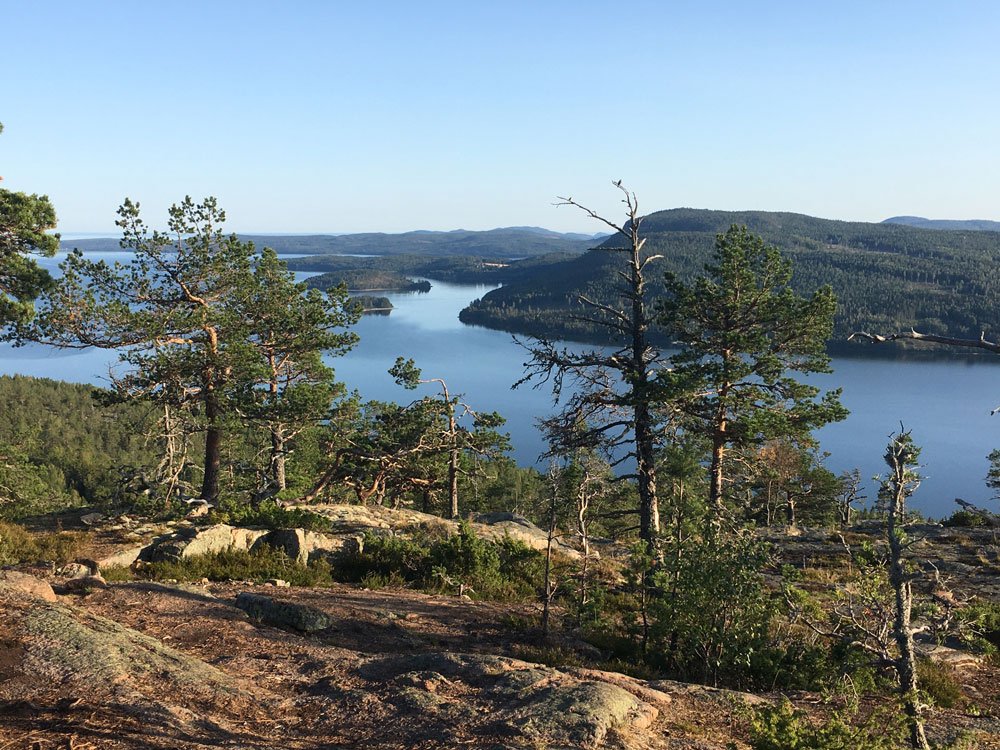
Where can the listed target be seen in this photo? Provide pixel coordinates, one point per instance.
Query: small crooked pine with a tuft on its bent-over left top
(454, 438)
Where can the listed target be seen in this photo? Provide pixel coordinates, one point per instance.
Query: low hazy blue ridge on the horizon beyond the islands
(510, 242)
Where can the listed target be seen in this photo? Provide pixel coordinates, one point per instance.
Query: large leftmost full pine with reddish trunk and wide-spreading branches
(175, 312)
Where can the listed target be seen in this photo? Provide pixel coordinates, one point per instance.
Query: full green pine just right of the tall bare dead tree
(741, 330)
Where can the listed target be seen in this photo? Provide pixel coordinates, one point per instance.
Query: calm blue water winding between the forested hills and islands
(946, 403)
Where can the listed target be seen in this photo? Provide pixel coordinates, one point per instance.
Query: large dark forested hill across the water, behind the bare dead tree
(886, 276)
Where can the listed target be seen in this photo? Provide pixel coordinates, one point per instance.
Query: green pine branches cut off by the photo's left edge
(24, 221)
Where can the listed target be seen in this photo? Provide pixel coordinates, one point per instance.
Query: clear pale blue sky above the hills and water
(390, 116)
